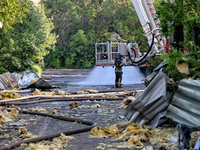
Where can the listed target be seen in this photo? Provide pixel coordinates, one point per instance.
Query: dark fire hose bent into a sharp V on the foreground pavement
(50, 136)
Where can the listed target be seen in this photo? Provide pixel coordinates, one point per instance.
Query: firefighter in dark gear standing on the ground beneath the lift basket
(118, 71)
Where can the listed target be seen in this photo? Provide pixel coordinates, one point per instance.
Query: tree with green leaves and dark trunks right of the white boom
(180, 18)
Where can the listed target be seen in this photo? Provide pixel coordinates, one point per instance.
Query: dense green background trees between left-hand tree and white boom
(80, 24)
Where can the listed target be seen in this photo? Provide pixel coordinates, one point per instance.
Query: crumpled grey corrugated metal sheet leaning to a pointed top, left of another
(151, 105)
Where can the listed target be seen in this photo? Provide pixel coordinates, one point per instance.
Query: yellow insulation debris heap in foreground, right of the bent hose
(134, 135)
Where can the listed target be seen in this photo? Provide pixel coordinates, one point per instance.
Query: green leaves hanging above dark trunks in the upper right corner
(181, 12)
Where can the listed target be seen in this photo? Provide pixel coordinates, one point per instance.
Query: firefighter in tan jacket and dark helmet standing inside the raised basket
(114, 39)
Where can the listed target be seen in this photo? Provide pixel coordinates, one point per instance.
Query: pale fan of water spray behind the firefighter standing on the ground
(106, 76)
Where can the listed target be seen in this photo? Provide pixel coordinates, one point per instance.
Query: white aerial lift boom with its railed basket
(130, 51)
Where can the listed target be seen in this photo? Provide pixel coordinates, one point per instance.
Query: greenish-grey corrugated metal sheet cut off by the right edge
(185, 106)
